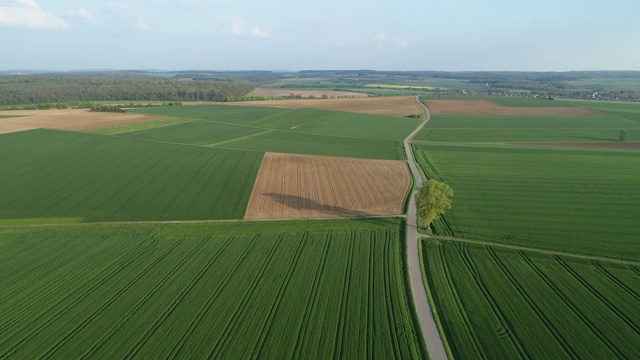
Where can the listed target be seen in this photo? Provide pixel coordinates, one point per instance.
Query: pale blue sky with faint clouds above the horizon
(453, 35)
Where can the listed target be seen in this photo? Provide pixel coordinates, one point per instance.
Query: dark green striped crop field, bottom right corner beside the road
(497, 302)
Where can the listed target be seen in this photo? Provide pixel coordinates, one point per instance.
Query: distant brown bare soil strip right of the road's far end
(485, 107)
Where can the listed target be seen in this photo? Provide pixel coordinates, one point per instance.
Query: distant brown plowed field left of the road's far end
(390, 106)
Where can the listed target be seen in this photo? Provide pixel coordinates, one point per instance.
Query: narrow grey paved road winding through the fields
(427, 322)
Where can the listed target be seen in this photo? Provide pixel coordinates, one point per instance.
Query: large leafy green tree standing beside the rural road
(432, 200)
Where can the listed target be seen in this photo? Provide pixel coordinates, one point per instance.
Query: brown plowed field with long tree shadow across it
(302, 186)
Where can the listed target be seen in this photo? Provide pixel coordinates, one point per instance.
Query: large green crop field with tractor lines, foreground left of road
(330, 289)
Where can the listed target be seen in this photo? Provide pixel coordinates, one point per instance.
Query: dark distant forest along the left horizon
(115, 86)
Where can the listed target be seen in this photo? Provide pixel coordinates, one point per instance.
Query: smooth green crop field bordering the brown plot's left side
(50, 173)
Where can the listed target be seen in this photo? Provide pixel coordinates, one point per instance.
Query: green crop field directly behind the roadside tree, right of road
(541, 197)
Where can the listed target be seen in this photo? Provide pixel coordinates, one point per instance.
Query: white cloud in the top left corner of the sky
(28, 14)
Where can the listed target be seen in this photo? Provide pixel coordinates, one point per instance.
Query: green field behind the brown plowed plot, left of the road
(299, 131)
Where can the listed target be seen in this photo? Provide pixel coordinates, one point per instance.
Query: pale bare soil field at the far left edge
(66, 119)
